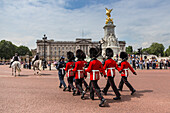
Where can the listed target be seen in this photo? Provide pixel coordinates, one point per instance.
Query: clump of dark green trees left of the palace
(7, 49)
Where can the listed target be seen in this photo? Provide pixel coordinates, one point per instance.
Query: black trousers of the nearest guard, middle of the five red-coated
(94, 88)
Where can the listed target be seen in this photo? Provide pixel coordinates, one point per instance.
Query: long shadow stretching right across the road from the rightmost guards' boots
(137, 94)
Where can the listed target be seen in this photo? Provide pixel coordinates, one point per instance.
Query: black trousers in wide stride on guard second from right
(110, 82)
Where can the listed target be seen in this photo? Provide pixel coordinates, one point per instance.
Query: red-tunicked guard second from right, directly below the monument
(110, 65)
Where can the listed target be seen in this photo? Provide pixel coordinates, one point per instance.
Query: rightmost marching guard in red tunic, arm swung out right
(124, 72)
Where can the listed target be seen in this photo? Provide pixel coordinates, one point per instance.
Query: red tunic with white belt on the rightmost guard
(124, 68)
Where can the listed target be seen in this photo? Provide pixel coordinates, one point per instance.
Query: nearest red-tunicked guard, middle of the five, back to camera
(95, 68)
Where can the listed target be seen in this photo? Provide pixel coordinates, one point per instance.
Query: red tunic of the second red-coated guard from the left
(78, 69)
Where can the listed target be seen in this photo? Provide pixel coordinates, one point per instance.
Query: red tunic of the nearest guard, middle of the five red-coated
(95, 67)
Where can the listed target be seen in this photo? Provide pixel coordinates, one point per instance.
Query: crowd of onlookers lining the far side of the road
(136, 62)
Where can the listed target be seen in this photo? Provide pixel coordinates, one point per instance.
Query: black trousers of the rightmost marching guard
(124, 80)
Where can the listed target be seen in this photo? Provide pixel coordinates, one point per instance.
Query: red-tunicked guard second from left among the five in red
(79, 72)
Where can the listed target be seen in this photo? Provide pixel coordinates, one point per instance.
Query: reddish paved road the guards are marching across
(40, 94)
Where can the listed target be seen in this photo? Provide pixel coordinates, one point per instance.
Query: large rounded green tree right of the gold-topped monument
(157, 49)
